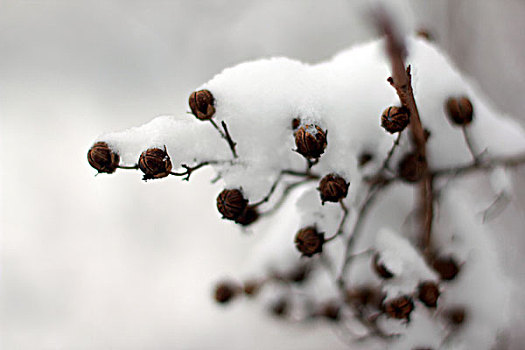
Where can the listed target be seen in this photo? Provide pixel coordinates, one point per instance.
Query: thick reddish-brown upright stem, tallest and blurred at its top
(401, 81)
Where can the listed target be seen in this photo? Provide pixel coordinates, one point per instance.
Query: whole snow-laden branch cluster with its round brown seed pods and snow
(273, 129)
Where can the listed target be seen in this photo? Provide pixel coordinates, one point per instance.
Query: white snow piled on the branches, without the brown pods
(345, 96)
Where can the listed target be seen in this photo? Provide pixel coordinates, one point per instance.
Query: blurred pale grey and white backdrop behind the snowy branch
(113, 262)
